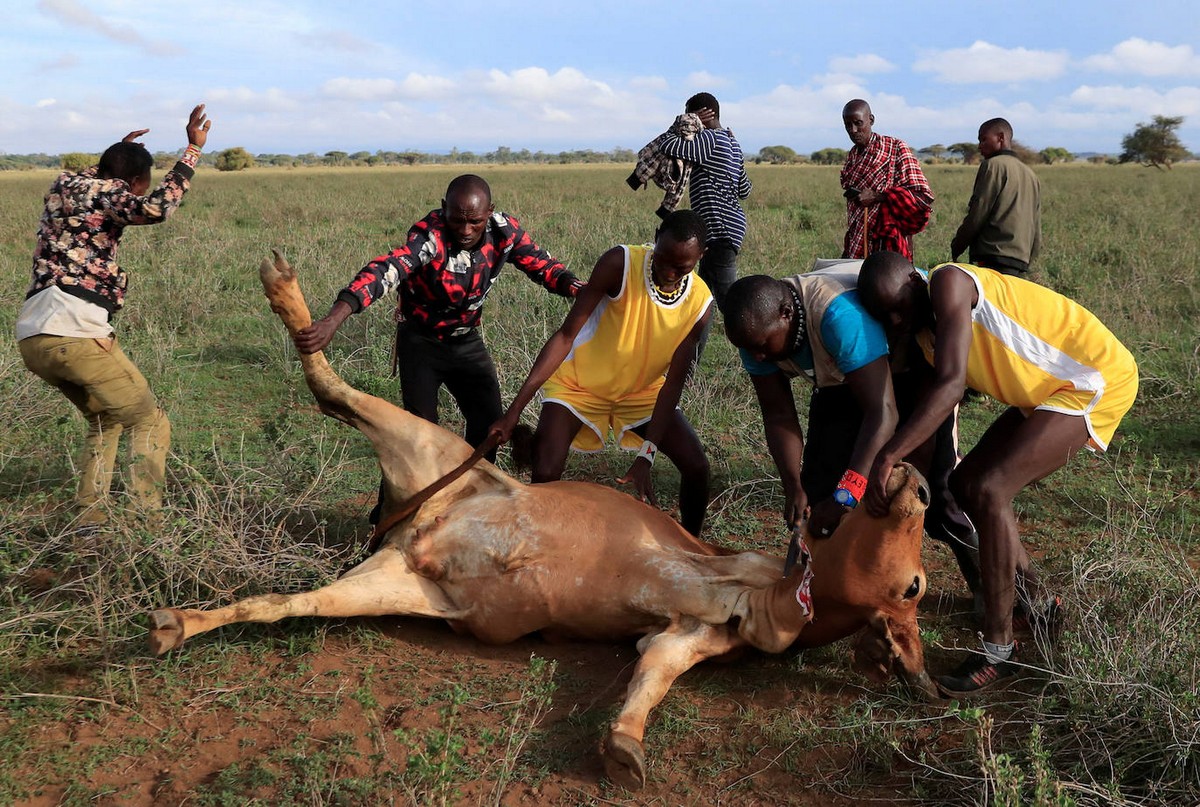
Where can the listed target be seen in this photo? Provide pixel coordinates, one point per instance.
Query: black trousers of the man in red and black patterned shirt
(464, 366)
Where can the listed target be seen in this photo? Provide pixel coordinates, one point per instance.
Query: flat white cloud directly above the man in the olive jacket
(989, 64)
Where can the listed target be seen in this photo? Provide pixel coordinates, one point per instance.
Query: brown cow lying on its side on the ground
(499, 559)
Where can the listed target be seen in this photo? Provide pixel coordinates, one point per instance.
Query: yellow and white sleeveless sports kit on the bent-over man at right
(1030, 343)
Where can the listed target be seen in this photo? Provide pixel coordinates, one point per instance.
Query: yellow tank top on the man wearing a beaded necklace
(627, 344)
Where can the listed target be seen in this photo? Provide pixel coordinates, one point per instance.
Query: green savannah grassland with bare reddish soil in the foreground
(268, 495)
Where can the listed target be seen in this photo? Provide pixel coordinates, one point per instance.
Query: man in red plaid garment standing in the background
(885, 188)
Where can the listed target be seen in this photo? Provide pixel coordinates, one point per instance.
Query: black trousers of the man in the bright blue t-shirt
(835, 421)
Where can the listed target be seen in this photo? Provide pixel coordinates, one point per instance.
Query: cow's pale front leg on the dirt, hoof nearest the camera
(665, 657)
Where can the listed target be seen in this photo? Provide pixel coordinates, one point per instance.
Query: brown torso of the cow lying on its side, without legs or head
(598, 566)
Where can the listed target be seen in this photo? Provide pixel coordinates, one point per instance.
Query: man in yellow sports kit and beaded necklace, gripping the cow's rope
(620, 362)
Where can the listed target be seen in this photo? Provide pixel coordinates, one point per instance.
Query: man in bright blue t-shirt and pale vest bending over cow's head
(814, 325)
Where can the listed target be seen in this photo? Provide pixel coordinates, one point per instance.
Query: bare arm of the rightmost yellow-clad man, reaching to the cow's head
(953, 295)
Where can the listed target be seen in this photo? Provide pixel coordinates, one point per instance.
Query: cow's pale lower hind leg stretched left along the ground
(381, 585)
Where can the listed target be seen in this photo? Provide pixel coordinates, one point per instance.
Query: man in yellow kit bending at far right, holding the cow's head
(1067, 381)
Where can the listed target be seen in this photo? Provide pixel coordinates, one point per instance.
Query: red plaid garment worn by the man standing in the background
(889, 166)
